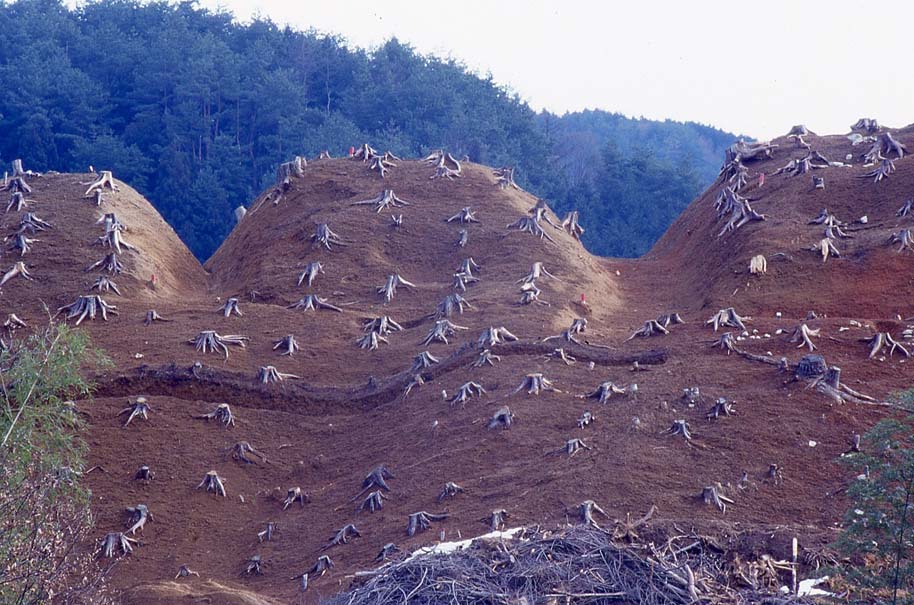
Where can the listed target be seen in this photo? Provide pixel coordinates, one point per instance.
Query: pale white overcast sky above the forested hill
(748, 67)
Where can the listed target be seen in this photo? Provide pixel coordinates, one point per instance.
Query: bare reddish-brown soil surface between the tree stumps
(346, 414)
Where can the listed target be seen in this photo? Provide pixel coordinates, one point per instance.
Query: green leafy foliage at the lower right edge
(878, 531)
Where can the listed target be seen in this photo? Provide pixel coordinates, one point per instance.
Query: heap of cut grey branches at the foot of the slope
(578, 565)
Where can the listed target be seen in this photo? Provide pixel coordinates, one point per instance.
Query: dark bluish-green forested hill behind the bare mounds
(196, 111)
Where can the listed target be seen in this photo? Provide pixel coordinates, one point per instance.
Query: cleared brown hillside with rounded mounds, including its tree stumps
(348, 359)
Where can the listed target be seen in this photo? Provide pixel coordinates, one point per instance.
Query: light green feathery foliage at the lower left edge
(44, 511)
